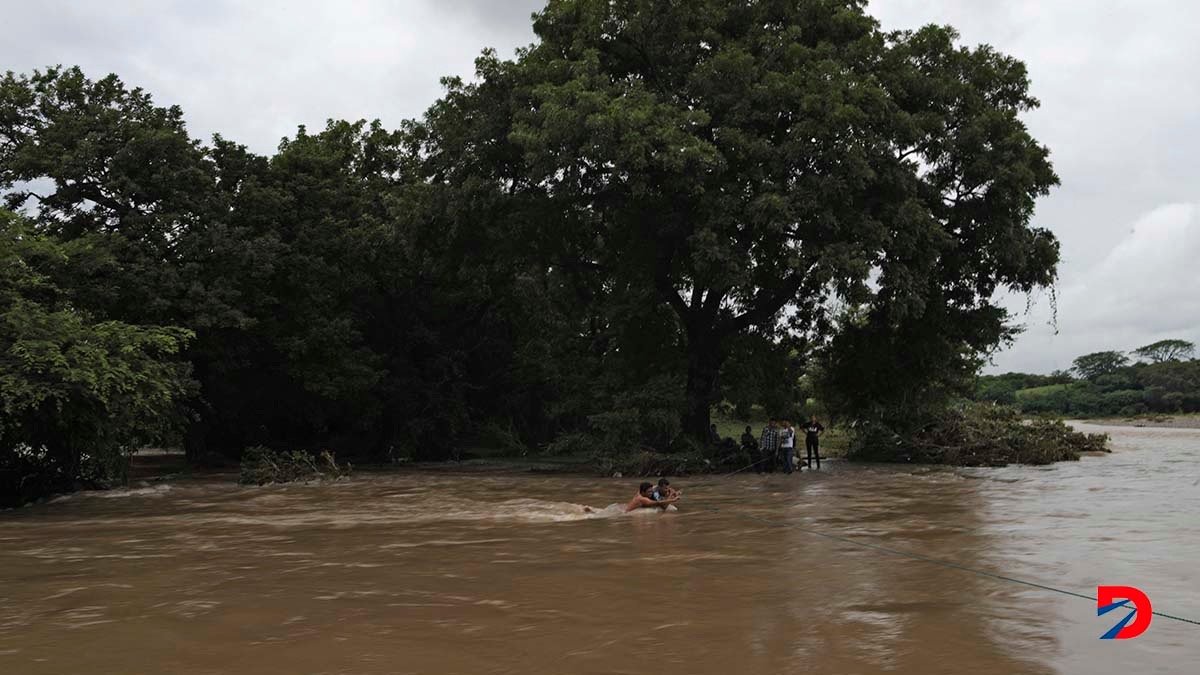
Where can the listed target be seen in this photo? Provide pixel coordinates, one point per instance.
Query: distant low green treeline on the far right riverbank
(1160, 379)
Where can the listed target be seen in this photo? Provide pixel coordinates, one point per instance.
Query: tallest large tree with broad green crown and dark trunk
(730, 163)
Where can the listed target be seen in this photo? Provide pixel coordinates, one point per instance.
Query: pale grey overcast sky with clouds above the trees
(1119, 82)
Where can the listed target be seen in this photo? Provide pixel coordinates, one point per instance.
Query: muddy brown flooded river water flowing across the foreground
(392, 574)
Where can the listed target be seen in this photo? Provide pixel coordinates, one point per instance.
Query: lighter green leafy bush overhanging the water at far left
(77, 396)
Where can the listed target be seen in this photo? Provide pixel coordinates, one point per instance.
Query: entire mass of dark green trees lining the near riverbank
(655, 208)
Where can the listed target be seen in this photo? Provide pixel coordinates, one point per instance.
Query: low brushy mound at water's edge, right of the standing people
(977, 435)
